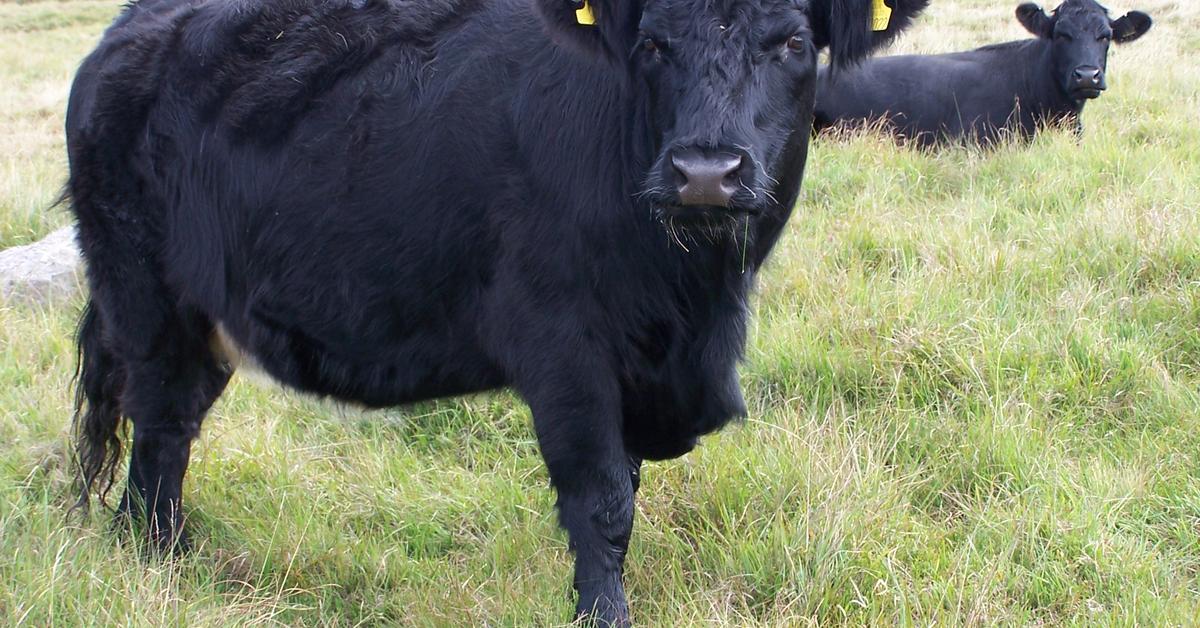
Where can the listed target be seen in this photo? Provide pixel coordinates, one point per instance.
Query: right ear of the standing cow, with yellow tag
(854, 29)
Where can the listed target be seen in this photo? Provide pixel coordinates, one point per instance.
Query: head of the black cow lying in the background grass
(1079, 33)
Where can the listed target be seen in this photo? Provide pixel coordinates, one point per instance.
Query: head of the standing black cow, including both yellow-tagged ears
(727, 86)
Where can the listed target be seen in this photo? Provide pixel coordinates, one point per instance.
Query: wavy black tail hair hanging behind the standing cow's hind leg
(98, 424)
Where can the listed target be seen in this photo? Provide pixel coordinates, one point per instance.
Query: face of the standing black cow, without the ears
(728, 87)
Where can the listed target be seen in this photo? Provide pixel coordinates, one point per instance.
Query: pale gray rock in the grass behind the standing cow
(43, 272)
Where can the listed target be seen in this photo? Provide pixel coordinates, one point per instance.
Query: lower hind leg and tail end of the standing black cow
(161, 375)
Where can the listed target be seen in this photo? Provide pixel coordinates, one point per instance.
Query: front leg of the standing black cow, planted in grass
(578, 420)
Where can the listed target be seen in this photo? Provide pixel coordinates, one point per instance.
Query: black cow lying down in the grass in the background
(982, 95)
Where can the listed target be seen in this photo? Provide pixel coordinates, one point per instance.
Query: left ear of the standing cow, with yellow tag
(599, 28)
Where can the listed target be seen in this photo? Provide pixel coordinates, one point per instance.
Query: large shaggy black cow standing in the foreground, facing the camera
(387, 201)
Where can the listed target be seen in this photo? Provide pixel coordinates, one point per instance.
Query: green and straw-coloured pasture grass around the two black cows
(975, 388)
